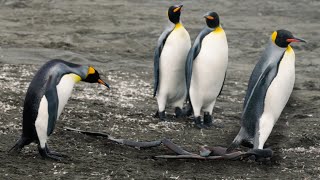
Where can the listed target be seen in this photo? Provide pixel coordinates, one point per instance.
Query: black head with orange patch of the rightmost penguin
(283, 38)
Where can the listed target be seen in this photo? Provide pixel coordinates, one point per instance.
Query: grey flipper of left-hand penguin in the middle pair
(157, 53)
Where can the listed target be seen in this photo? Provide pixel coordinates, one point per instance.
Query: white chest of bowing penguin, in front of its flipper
(64, 90)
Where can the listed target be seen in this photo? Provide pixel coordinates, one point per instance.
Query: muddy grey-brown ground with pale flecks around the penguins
(118, 38)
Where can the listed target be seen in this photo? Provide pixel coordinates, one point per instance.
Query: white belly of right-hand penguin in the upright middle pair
(209, 70)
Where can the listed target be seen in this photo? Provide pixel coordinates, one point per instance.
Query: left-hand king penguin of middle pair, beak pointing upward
(169, 65)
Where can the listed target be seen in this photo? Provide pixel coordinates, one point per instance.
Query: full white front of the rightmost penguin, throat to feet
(276, 98)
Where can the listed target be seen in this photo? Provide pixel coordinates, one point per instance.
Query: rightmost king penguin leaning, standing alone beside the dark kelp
(269, 89)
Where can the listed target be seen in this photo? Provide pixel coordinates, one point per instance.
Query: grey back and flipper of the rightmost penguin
(261, 78)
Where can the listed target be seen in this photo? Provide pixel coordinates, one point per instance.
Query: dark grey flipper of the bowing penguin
(53, 104)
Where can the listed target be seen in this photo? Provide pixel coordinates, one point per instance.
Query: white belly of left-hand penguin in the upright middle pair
(172, 83)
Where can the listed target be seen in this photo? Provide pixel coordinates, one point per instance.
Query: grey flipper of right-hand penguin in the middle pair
(193, 53)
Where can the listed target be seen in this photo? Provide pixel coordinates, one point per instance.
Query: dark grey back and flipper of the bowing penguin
(44, 83)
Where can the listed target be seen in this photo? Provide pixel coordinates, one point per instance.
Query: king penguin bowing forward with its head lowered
(46, 97)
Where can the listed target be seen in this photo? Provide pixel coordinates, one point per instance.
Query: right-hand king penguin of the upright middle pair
(206, 69)
